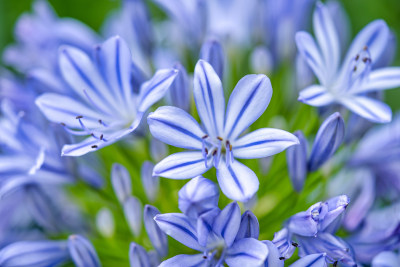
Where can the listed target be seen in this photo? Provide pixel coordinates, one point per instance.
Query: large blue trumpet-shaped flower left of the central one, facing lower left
(104, 105)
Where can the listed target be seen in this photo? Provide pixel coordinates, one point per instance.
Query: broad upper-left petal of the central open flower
(175, 127)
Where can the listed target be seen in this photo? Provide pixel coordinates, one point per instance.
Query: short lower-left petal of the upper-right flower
(316, 95)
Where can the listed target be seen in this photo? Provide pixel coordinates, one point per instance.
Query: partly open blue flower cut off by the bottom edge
(215, 234)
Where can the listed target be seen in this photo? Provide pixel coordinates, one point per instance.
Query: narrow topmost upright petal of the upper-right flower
(328, 40)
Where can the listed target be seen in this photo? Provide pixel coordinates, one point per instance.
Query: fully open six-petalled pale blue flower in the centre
(219, 142)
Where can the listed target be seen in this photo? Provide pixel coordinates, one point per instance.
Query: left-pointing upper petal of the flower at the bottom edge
(179, 227)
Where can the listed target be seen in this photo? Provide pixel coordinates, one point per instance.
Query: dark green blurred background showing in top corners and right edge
(93, 12)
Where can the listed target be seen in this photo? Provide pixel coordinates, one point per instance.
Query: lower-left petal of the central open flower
(182, 165)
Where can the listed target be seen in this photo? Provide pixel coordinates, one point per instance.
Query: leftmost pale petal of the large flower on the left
(63, 109)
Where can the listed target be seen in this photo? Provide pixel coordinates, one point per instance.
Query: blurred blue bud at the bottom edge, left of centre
(82, 252)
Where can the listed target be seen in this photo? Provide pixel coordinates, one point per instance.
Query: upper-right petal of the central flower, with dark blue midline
(247, 102)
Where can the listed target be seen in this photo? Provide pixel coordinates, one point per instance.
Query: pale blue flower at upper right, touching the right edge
(349, 83)
